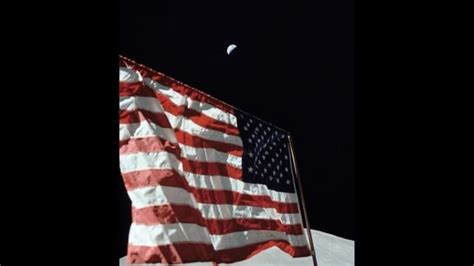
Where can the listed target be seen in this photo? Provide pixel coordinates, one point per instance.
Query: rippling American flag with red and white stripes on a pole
(207, 182)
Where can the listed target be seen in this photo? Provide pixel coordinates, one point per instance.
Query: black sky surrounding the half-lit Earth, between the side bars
(294, 67)
